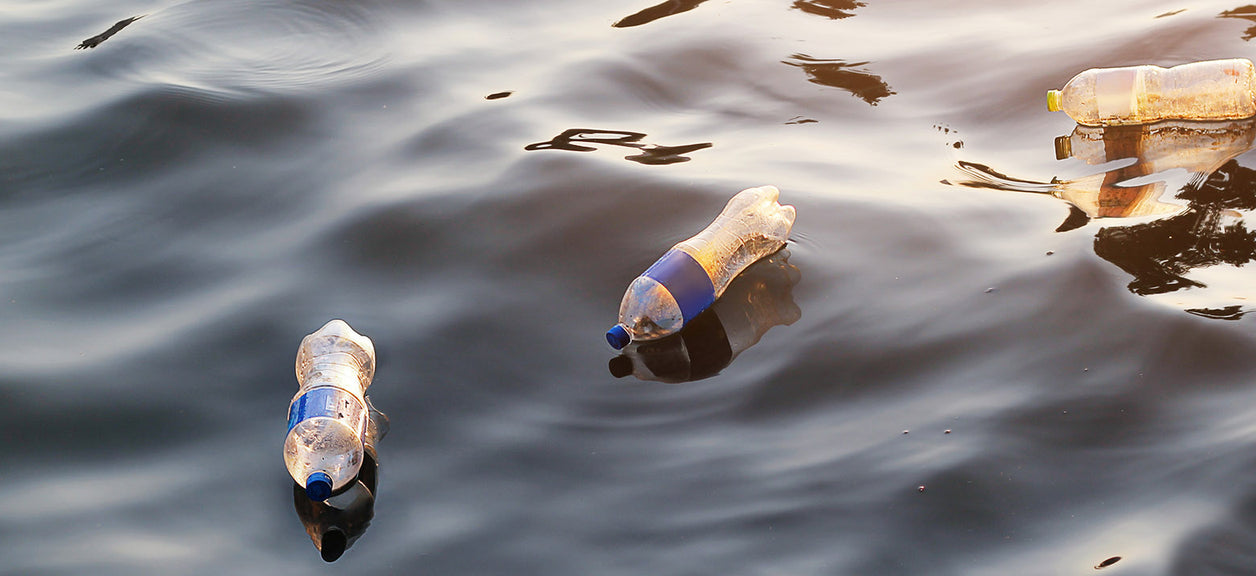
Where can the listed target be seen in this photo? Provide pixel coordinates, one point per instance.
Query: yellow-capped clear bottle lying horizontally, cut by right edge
(1201, 91)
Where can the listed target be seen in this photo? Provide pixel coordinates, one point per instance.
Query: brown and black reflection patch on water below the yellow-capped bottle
(1200, 232)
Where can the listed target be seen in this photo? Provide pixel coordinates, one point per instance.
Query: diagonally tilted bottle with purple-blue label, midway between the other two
(690, 277)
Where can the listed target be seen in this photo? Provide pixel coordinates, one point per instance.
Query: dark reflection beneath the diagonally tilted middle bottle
(755, 302)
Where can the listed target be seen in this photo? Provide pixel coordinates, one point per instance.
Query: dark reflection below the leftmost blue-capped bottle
(336, 524)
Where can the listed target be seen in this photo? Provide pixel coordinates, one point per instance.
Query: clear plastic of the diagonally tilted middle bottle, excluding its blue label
(752, 227)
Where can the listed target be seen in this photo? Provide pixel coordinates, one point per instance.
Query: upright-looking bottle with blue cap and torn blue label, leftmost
(328, 417)
